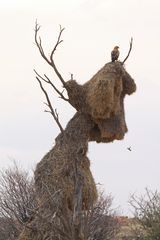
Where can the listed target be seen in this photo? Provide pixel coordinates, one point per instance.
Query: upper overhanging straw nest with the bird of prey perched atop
(102, 98)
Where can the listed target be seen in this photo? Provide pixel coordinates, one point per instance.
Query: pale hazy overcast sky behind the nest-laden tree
(92, 29)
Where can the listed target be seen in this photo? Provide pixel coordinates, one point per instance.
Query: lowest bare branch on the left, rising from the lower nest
(52, 111)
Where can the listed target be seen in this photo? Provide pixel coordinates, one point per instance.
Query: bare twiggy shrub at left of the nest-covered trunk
(17, 202)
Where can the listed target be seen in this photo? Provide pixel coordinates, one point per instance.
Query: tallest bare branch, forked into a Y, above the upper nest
(50, 61)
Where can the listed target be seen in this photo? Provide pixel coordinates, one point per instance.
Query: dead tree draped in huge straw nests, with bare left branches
(63, 180)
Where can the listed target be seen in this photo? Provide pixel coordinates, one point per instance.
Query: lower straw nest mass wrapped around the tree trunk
(58, 169)
